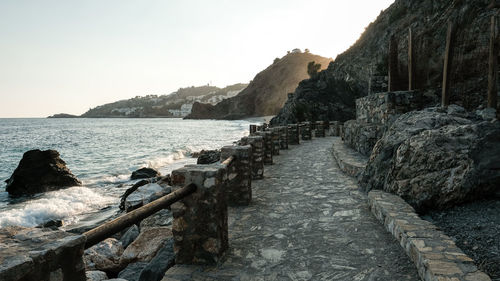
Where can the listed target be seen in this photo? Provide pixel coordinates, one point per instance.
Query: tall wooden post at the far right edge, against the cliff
(493, 65)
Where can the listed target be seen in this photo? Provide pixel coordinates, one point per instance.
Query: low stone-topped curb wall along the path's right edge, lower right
(435, 255)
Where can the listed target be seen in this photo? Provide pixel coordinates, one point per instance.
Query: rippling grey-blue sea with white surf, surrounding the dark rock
(102, 153)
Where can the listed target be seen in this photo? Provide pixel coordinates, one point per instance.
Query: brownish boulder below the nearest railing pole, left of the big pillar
(147, 245)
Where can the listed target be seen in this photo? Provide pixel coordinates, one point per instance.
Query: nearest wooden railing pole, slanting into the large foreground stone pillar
(105, 230)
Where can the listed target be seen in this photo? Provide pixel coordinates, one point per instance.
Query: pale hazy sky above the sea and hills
(70, 55)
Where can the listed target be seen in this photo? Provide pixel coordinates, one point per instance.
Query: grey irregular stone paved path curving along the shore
(307, 221)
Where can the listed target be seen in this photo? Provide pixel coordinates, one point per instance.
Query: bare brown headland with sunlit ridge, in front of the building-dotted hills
(267, 92)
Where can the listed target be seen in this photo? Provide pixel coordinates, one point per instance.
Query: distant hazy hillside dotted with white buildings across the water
(177, 104)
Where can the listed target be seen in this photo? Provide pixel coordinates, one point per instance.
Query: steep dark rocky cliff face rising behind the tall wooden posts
(361, 69)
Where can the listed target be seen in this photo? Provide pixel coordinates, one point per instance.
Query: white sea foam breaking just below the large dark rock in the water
(66, 204)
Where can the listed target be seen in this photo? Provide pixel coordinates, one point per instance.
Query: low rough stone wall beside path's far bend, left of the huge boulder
(361, 136)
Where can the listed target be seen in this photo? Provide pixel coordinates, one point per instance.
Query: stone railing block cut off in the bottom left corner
(35, 254)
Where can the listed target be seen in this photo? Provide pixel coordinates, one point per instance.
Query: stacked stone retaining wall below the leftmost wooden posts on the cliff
(384, 108)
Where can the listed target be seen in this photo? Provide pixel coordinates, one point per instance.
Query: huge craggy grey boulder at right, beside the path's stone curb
(435, 159)
